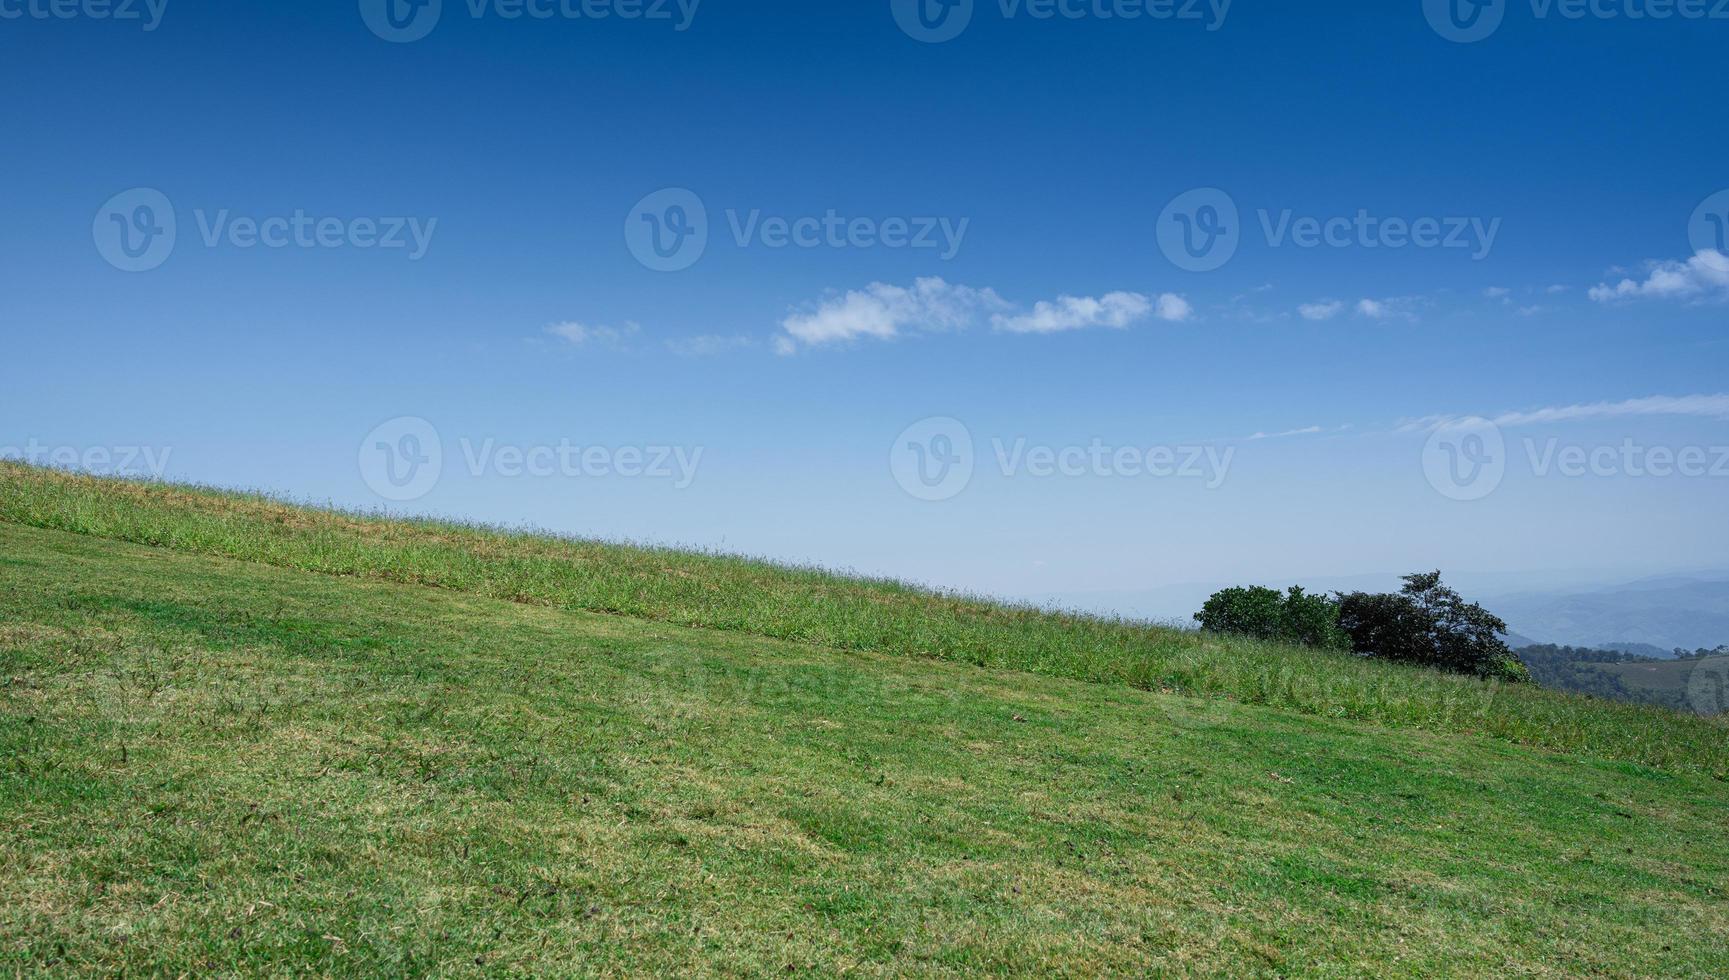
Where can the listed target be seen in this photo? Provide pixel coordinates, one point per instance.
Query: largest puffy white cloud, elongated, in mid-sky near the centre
(886, 312)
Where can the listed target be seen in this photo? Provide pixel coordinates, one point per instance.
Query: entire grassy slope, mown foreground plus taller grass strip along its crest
(252, 739)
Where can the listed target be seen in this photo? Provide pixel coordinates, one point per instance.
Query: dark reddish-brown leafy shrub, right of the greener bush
(1429, 625)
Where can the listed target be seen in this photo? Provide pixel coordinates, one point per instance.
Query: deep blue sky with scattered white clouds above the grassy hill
(1574, 160)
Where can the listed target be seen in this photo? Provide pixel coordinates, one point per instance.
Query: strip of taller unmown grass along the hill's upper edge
(808, 606)
